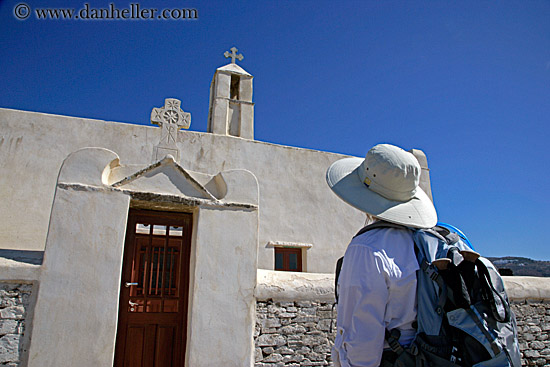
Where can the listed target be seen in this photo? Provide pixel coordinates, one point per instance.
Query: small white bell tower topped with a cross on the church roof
(231, 110)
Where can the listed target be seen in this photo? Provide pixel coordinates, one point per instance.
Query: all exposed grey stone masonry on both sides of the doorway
(288, 334)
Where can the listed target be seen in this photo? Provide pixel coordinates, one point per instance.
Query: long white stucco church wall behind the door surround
(296, 205)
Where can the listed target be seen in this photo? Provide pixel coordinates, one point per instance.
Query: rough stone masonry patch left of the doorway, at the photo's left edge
(15, 299)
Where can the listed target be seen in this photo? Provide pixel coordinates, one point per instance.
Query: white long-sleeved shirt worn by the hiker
(377, 291)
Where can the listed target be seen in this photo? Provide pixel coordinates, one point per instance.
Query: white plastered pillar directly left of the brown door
(76, 312)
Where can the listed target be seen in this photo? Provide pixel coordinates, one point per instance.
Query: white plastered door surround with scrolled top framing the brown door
(80, 278)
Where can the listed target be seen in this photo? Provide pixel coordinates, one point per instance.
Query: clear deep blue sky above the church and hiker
(468, 82)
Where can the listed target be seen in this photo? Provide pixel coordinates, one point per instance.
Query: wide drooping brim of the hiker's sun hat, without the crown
(344, 180)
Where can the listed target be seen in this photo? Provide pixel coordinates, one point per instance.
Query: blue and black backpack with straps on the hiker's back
(463, 313)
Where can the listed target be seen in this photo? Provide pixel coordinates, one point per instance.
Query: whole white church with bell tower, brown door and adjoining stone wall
(131, 245)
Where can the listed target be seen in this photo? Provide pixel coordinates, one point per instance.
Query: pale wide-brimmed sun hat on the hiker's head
(384, 184)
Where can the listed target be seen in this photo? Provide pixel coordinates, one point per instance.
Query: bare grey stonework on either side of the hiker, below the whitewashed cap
(296, 334)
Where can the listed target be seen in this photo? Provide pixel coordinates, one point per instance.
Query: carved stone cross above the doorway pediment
(170, 118)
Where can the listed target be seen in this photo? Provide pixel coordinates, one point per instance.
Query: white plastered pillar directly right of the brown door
(224, 277)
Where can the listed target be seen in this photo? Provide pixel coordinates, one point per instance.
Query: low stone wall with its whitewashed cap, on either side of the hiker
(294, 319)
